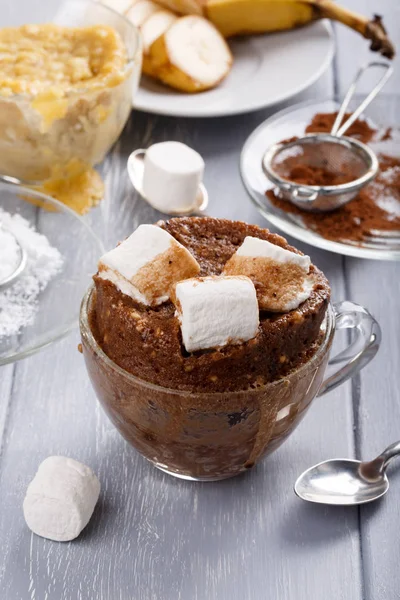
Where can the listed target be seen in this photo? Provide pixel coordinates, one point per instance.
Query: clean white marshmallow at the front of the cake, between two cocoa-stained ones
(216, 311)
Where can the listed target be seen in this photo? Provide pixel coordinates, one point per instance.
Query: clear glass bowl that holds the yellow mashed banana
(89, 120)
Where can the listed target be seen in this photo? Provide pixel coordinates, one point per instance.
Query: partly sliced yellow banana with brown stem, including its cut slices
(189, 54)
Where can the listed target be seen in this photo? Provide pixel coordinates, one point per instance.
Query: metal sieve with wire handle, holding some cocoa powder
(332, 154)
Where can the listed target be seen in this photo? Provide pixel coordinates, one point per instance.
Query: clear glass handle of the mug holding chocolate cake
(362, 349)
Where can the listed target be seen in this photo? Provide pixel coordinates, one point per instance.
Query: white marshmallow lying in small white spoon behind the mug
(172, 175)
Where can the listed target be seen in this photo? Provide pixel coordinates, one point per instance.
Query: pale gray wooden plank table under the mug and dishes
(156, 538)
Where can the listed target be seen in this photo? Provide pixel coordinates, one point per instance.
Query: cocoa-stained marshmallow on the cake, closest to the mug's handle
(281, 277)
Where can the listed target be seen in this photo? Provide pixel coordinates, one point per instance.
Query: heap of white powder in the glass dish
(19, 302)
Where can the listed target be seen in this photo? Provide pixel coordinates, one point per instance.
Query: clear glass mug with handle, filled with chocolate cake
(212, 436)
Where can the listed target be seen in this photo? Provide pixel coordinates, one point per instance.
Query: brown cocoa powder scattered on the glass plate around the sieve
(375, 208)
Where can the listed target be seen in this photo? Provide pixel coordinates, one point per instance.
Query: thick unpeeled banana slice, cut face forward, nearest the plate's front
(191, 55)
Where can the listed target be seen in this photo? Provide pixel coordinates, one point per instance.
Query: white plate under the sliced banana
(267, 69)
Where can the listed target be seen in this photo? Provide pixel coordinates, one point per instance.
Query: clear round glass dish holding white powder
(57, 307)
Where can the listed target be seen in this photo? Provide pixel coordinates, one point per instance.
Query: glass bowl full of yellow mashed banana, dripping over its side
(65, 96)
